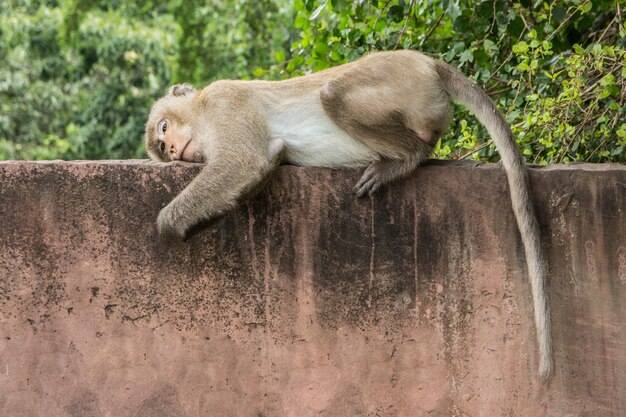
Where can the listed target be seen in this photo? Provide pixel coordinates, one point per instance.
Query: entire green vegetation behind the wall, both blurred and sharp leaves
(77, 78)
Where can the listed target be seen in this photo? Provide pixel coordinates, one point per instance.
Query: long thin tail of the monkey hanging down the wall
(478, 102)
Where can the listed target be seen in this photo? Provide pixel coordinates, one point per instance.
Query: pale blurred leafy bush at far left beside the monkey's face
(82, 94)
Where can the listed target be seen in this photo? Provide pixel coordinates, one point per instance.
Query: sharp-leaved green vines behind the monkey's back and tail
(555, 69)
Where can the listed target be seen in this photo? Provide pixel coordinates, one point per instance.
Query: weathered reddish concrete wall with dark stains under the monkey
(306, 301)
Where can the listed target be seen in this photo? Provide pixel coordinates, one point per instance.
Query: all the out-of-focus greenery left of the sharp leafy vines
(77, 78)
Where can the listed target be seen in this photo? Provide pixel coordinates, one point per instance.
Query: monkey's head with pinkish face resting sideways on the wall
(169, 130)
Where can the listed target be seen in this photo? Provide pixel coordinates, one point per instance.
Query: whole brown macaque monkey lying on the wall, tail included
(385, 111)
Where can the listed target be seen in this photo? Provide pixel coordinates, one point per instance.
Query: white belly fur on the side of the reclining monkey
(311, 137)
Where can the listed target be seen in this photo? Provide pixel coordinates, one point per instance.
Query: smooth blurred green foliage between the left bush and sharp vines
(229, 39)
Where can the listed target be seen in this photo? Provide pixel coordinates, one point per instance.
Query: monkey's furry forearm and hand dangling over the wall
(216, 189)
